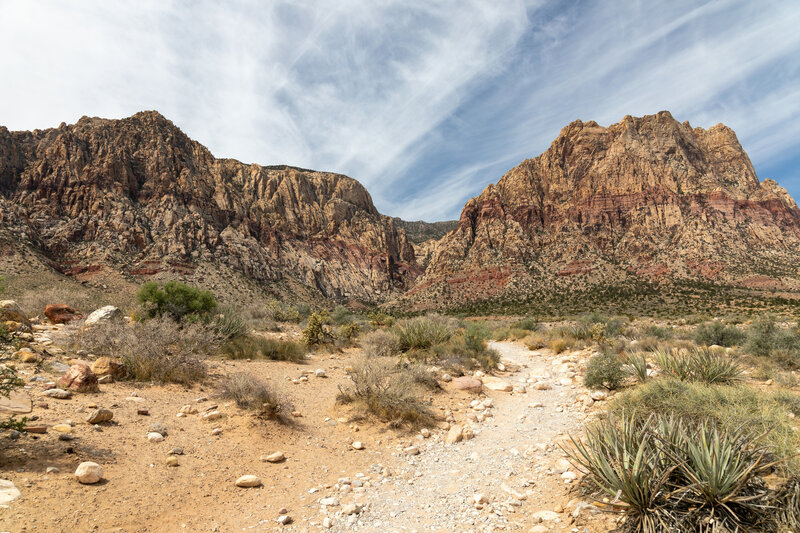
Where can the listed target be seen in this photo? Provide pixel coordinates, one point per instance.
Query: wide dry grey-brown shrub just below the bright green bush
(158, 350)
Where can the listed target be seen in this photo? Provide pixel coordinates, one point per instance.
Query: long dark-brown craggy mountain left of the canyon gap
(140, 198)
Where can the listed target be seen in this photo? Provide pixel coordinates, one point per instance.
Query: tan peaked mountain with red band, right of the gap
(647, 199)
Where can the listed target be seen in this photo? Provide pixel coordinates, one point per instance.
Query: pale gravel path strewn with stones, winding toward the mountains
(512, 461)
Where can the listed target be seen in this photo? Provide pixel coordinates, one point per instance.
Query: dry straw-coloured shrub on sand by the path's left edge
(387, 391)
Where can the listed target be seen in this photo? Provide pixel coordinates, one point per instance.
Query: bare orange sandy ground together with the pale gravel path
(324, 483)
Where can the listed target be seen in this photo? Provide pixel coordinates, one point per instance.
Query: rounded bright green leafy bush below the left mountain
(175, 300)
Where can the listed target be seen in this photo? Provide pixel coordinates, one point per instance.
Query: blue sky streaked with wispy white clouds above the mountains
(424, 102)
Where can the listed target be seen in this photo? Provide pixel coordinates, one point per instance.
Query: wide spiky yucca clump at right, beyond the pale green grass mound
(698, 365)
